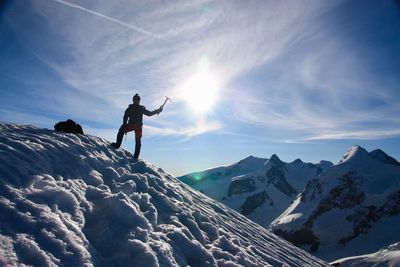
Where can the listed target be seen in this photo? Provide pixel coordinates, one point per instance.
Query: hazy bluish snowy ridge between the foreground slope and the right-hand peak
(261, 189)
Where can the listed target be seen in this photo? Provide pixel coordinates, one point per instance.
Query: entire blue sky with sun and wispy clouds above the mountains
(298, 78)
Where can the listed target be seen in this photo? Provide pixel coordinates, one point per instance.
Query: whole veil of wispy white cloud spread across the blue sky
(313, 83)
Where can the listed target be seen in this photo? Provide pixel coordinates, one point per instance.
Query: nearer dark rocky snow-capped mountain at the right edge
(352, 208)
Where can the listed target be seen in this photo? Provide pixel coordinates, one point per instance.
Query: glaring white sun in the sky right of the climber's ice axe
(200, 92)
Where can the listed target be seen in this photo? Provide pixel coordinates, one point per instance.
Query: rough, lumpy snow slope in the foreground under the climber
(70, 200)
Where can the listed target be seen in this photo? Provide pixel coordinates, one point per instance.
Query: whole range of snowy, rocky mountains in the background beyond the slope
(334, 211)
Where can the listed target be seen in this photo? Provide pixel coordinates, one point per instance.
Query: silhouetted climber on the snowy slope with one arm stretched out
(133, 121)
